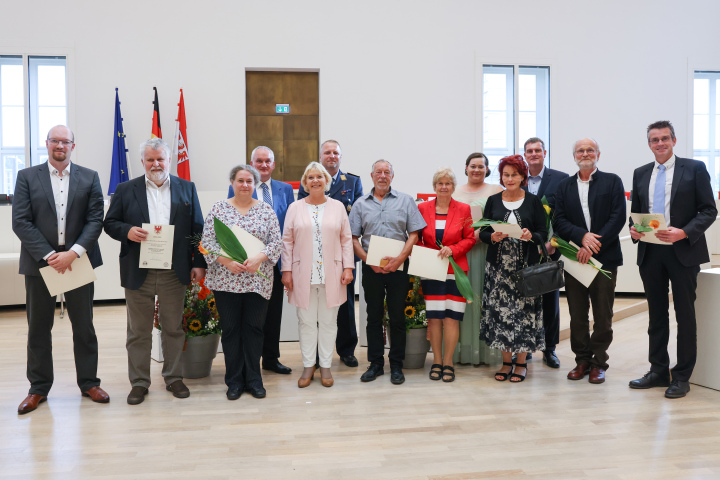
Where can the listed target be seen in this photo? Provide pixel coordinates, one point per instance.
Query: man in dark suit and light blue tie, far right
(680, 189)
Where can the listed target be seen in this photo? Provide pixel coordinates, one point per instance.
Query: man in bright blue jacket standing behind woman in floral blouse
(278, 195)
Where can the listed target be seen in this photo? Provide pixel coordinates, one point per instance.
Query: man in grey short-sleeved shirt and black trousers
(387, 213)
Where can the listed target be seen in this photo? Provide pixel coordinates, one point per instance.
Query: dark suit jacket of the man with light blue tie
(692, 207)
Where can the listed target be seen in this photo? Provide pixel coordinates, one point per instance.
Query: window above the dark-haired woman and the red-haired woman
(516, 106)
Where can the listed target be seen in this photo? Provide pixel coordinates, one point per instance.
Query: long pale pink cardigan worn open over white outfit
(297, 252)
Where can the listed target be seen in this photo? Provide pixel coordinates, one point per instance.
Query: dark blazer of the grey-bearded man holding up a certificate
(129, 208)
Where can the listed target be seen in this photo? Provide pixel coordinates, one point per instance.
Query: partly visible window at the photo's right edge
(706, 121)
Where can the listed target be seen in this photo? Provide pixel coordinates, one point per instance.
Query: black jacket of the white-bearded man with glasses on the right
(606, 197)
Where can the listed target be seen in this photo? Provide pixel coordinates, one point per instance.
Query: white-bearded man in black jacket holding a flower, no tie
(590, 211)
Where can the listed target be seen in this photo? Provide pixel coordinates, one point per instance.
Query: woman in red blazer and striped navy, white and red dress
(450, 223)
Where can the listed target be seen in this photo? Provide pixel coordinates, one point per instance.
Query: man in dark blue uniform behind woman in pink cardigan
(346, 188)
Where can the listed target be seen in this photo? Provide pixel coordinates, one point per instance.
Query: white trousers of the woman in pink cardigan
(317, 328)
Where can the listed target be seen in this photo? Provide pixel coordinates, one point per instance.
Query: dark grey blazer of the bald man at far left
(34, 218)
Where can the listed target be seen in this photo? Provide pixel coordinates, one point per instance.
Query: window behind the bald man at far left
(32, 88)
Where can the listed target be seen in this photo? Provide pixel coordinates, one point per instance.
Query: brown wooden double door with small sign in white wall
(294, 137)
